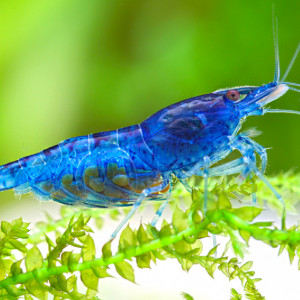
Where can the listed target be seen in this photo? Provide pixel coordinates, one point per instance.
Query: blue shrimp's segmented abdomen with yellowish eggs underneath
(104, 170)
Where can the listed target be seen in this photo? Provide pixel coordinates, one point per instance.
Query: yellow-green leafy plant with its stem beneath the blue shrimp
(27, 270)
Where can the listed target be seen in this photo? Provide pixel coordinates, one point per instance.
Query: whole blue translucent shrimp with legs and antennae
(127, 166)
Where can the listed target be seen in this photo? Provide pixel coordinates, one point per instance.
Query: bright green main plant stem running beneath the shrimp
(263, 234)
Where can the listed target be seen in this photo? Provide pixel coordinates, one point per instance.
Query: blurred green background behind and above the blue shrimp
(70, 68)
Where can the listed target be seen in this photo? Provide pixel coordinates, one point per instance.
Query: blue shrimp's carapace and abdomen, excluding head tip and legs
(112, 168)
